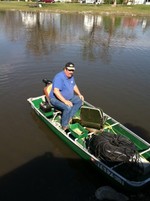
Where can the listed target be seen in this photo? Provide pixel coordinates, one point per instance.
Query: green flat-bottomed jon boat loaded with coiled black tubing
(117, 152)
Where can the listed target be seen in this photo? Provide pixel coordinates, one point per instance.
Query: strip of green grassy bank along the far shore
(139, 10)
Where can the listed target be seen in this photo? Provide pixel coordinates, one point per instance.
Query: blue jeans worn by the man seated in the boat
(67, 112)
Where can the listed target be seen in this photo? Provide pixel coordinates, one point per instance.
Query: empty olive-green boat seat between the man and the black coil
(92, 117)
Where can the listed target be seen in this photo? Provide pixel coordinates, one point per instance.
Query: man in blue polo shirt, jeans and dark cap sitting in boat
(65, 94)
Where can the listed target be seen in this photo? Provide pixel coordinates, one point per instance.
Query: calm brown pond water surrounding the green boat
(112, 58)
